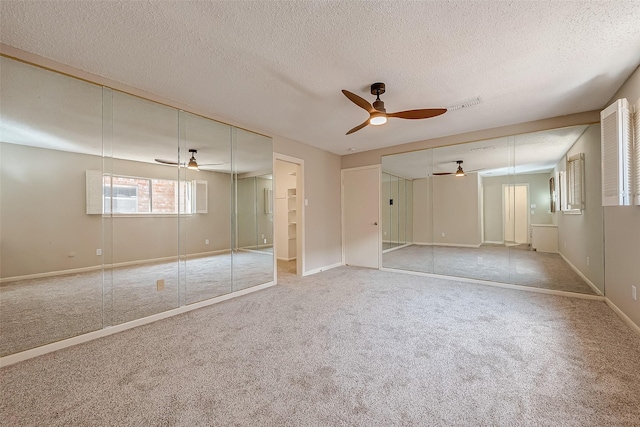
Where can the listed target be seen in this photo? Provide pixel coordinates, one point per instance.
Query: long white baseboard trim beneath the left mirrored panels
(48, 348)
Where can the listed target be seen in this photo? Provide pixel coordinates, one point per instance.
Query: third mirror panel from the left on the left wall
(206, 231)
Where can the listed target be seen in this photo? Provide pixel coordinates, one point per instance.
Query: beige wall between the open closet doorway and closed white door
(323, 234)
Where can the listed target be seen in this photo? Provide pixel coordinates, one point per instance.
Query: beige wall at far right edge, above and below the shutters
(622, 235)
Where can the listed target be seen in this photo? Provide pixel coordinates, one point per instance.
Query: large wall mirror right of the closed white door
(495, 223)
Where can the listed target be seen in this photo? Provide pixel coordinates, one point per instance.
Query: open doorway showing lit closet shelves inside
(289, 215)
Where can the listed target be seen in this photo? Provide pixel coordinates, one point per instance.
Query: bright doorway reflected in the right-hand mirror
(516, 214)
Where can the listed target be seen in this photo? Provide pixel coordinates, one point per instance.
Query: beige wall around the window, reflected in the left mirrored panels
(43, 216)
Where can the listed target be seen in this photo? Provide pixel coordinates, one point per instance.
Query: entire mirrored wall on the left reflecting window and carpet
(116, 208)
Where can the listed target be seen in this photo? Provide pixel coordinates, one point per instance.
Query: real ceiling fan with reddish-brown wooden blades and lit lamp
(378, 114)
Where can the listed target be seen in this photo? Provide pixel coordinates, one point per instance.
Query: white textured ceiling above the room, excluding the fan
(278, 67)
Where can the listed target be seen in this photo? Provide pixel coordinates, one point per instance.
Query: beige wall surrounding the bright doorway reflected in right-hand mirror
(492, 202)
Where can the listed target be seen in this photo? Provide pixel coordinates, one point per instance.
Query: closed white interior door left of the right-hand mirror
(360, 216)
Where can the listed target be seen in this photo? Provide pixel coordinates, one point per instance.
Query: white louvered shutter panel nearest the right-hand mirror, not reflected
(616, 153)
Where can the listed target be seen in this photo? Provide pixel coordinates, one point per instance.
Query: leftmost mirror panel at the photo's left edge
(51, 133)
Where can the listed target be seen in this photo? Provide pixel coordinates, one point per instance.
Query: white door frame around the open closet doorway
(300, 232)
